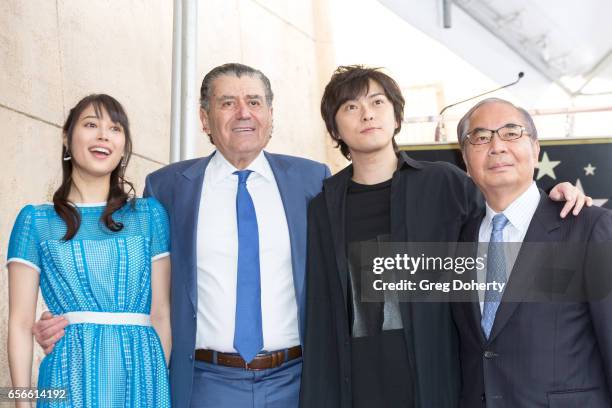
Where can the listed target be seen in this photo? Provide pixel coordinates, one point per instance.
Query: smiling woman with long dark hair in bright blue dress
(100, 258)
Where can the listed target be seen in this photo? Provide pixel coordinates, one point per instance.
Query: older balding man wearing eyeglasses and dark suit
(517, 350)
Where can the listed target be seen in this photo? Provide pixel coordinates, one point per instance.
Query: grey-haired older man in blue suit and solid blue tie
(238, 222)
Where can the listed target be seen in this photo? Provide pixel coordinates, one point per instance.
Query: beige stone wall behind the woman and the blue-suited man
(53, 52)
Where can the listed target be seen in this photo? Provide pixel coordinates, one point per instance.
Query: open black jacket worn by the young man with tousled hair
(430, 202)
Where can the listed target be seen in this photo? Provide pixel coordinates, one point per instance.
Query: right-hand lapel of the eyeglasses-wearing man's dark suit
(544, 223)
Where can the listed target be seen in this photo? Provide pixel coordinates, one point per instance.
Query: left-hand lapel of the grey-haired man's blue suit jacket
(187, 205)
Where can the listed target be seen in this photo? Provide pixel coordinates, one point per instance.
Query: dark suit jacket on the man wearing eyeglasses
(542, 354)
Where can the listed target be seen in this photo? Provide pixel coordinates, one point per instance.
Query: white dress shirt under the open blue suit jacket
(217, 258)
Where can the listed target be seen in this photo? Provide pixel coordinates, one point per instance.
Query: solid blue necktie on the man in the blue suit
(248, 336)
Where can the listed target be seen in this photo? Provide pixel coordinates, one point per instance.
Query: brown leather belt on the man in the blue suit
(260, 362)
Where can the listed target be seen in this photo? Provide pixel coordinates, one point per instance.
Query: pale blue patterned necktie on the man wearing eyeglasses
(496, 272)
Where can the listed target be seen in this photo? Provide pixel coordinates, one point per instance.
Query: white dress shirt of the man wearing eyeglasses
(519, 214)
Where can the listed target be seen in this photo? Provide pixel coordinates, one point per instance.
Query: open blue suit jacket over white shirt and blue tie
(178, 187)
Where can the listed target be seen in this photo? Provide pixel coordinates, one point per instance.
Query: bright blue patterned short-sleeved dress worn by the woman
(118, 365)
